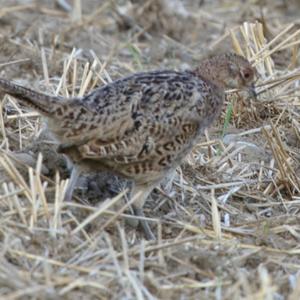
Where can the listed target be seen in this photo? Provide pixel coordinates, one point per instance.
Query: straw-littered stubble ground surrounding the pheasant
(227, 223)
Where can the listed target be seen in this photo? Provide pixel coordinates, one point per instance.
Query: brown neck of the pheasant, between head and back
(209, 72)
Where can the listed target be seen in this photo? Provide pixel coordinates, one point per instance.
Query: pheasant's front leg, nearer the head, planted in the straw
(138, 208)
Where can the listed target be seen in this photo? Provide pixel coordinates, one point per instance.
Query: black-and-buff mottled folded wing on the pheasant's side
(129, 116)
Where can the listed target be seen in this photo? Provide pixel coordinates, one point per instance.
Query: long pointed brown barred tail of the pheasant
(40, 102)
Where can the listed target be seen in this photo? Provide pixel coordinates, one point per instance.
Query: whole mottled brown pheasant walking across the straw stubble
(142, 126)
